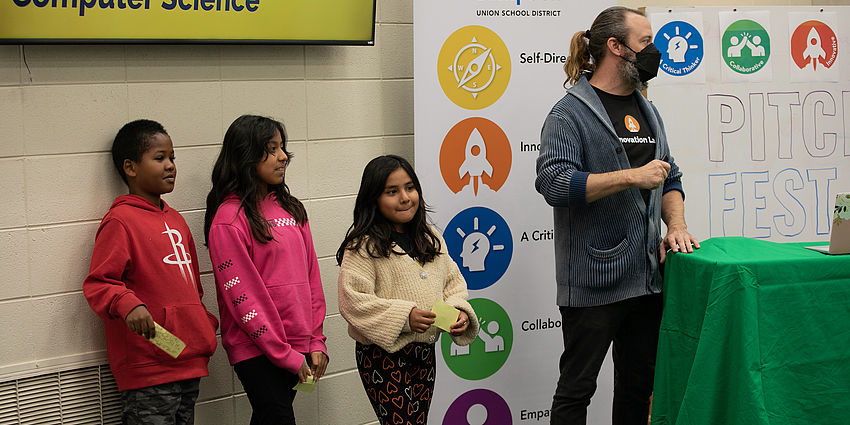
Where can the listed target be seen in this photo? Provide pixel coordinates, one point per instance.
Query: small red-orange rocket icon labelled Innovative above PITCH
(814, 46)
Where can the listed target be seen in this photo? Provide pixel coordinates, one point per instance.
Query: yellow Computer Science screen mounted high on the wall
(245, 21)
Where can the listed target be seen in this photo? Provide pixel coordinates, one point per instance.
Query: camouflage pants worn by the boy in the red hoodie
(172, 403)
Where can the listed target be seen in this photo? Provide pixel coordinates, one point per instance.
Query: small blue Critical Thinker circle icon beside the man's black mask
(681, 48)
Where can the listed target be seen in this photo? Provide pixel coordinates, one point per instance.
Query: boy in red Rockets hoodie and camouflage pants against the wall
(144, 269)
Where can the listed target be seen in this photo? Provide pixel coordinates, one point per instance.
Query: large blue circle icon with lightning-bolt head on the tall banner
(480, 242)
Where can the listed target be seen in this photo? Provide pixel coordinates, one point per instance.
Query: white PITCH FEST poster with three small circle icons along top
(762, 142)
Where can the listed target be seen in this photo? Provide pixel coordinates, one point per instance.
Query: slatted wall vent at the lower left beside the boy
(83, 396)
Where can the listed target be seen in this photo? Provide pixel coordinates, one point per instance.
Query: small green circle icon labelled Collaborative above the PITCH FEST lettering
(746, 46)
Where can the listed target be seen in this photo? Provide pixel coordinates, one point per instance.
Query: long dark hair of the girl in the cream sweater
(372, 229)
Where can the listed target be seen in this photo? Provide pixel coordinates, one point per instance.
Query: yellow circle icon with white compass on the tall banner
(474, 67)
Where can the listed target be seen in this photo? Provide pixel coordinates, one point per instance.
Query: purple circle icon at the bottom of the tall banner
(478, 407)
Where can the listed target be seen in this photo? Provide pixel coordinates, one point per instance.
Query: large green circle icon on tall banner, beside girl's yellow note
(490, 350)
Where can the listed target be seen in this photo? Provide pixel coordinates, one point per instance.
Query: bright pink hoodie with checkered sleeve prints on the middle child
(269, 294)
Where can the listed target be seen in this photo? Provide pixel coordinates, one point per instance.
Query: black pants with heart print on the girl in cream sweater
(400, 384)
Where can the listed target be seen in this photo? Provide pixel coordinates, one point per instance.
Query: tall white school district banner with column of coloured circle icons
(487, 72)
